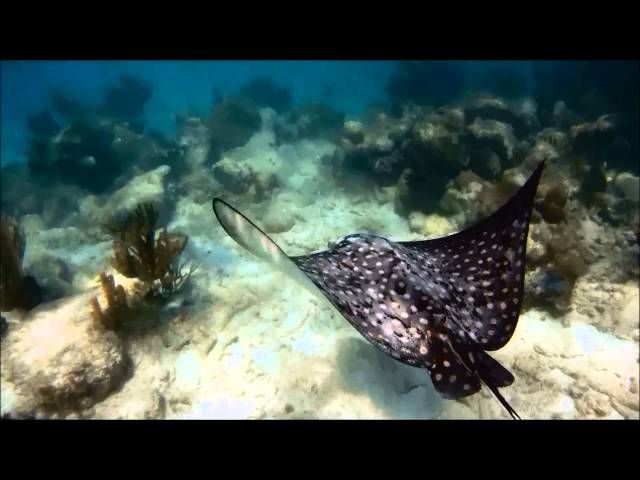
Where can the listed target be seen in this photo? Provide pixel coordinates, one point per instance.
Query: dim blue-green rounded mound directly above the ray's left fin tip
(232, 123)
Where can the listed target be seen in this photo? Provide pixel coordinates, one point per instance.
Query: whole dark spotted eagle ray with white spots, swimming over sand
(437, 304)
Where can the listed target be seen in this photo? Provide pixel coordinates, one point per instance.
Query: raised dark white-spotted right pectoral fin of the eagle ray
(489, 261)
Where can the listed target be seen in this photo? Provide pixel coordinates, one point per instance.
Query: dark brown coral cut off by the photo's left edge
(17, 290)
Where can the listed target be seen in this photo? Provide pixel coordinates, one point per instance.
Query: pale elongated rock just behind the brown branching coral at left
(146, 188)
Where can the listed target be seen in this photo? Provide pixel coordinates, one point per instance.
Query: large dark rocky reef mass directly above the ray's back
(418, 153)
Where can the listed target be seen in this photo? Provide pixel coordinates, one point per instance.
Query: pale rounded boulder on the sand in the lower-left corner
(60, 360)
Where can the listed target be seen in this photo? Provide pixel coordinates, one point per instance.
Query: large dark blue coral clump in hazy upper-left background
(96, 146)
